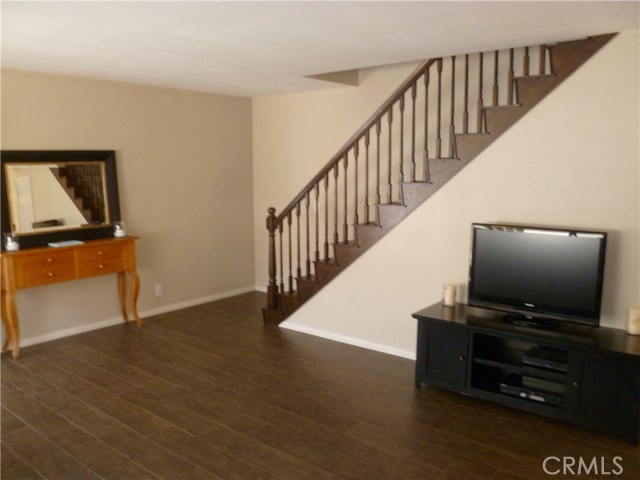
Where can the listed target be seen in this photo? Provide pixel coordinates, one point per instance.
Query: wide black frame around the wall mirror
(59, 156)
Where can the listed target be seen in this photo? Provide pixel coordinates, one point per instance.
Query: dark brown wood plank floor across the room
(211, 392)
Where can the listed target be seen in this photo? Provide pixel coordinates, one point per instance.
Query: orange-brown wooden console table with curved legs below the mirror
(42, 266)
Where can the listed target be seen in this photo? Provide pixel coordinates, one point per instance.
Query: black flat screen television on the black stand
(538, 276)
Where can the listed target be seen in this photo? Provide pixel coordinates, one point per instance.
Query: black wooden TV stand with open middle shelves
(583, 375)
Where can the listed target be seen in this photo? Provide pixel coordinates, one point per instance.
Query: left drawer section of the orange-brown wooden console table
(34, 270)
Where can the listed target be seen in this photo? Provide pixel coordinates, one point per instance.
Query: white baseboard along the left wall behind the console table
(25, 342)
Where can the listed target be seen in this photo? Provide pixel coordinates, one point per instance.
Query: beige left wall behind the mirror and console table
(185, 174)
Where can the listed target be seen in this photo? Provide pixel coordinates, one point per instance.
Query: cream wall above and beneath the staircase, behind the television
(574, 160)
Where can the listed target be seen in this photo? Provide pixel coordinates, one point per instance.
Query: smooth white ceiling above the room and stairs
(266, 48)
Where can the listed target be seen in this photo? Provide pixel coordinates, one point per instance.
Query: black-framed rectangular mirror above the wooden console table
(50, 196)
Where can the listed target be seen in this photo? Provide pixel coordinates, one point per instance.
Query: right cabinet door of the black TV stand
(607, 395)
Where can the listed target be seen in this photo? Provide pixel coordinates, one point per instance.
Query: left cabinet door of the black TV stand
(442, 356)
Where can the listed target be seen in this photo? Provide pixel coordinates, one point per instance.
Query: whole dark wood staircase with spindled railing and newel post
(445, 114)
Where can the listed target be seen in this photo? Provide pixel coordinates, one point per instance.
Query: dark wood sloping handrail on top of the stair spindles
(355, 138)
